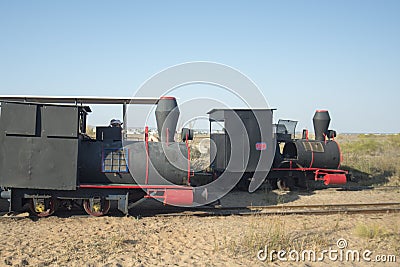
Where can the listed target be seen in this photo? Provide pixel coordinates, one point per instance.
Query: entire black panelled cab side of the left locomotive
(39, 161)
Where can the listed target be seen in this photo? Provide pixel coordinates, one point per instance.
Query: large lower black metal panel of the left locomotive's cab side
(31, 162)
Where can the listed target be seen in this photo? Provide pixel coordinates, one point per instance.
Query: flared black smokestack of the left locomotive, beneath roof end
(167, 114)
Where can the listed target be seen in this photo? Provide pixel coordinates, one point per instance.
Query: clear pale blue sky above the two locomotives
(343, 56)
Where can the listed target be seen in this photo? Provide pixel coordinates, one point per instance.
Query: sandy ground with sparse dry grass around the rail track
(203, 241)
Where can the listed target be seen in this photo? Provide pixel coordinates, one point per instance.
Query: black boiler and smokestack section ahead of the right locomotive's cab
(299, 160)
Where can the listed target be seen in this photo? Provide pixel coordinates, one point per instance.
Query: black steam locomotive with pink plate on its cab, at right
(289, 162)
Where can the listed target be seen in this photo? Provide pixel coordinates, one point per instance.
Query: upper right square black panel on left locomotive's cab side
(60, 121)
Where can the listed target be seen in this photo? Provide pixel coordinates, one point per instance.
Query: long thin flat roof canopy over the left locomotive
(83, 100)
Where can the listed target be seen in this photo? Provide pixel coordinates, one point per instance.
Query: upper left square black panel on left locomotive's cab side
(19, 119)
